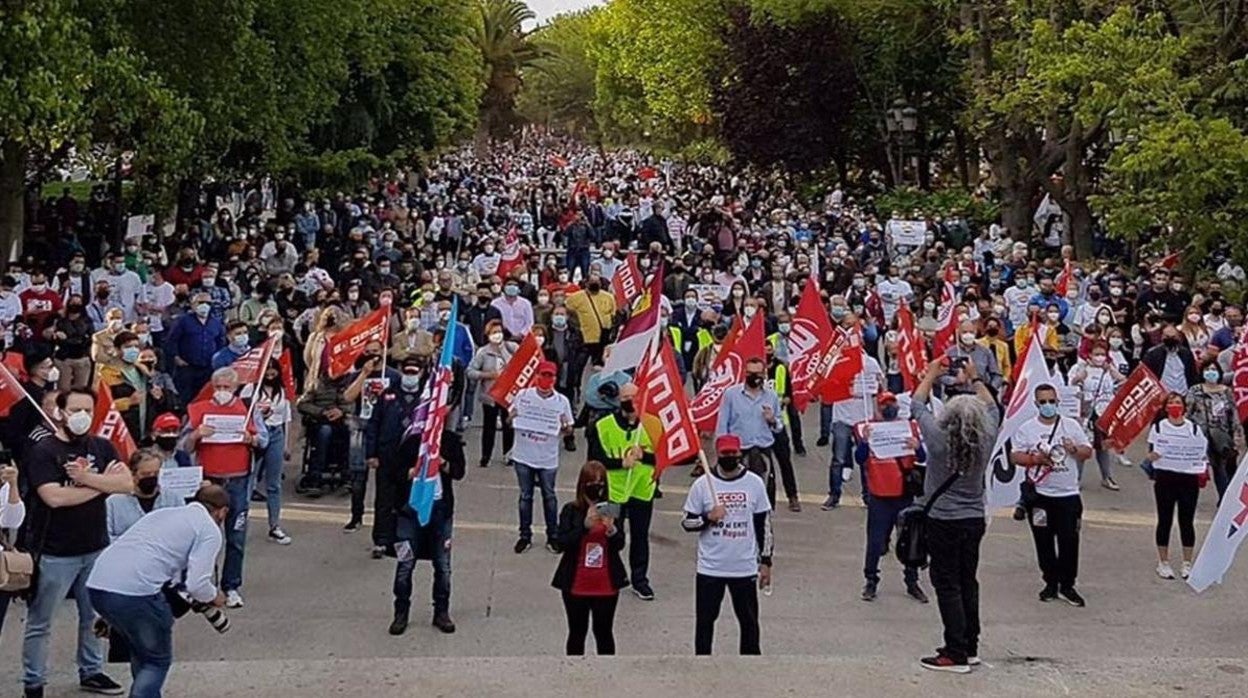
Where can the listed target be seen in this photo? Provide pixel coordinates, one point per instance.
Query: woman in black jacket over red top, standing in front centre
(591, 573)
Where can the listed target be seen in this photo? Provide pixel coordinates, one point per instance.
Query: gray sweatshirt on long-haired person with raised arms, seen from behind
(965, 498)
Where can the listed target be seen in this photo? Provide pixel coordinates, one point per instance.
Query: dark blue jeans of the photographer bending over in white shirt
(148, 625)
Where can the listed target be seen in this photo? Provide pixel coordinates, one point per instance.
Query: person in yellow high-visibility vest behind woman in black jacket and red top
(626, 446)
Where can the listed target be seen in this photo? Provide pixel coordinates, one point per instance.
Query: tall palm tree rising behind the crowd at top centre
(506, 49)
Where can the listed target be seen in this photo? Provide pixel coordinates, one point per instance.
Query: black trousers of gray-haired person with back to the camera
(954, 549)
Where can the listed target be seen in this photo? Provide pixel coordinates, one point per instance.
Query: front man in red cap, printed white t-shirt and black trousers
(729, 510)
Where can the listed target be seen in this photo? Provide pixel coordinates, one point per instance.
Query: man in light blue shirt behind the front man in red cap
(752, 411)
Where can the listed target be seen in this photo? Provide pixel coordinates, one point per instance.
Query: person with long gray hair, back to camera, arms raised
(959, 445)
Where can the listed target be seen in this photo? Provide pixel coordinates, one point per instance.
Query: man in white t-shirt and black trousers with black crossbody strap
(1053, 450)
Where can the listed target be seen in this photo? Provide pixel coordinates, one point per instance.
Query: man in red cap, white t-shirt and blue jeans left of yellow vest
(545, 418)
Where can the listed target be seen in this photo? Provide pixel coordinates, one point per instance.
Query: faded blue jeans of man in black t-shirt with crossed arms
(58, 576)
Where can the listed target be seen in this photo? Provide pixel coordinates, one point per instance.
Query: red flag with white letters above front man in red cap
(663, 395)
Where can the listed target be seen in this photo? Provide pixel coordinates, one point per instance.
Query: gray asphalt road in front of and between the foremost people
(318, 612)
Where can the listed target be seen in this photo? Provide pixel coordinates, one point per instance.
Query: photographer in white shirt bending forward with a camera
(129, 580)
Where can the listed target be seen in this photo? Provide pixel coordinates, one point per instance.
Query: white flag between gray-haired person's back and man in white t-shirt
(1003, 479)
